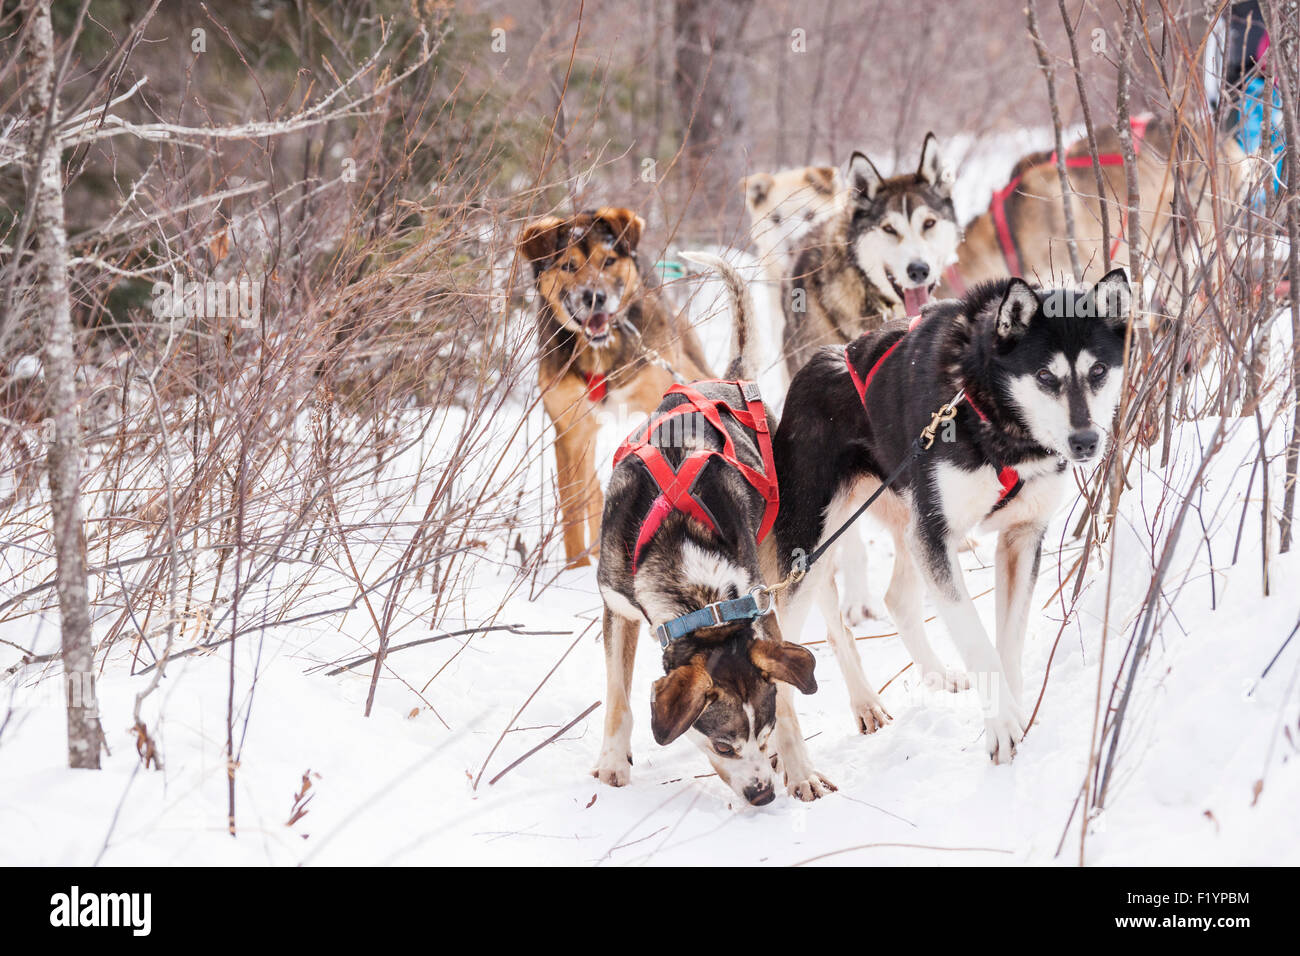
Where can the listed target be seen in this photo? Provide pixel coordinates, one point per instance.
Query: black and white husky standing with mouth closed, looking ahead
(1039, 377)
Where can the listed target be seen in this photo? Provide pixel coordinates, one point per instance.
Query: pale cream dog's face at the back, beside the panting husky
(783, 206)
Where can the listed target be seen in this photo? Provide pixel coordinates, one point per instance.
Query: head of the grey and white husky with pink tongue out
(904, 230)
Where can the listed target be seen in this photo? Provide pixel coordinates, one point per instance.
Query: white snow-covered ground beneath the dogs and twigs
(1208, 772)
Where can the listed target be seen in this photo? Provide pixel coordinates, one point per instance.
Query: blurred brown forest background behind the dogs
(658, 105)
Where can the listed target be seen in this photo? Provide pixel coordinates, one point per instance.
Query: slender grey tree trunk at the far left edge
(46, 194)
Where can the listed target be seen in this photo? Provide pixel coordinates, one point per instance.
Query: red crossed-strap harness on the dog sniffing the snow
(675, 487)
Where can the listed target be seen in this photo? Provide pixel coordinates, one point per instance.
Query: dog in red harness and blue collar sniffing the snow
(727, 685)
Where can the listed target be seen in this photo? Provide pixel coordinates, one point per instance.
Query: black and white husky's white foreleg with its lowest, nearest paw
(1004, 723)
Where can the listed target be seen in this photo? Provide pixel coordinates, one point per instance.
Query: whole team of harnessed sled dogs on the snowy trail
(714, 507)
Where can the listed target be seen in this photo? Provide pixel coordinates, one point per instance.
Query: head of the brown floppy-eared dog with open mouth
(586, 269)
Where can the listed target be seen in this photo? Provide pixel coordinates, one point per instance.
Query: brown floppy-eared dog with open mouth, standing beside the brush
(601, 328)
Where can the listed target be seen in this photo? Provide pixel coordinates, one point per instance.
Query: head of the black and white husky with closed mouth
(1060, 358)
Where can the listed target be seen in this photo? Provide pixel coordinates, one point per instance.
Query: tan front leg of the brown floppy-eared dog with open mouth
(575, 458)
